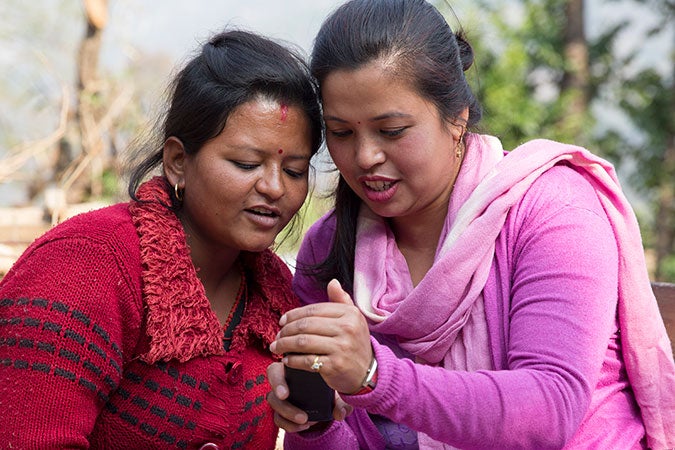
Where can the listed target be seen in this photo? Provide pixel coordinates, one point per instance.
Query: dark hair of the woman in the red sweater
(232, 68)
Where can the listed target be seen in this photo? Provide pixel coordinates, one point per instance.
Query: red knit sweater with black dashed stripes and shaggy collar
(107, 339)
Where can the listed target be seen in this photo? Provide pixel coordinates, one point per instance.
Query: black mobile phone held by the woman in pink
(309, 392)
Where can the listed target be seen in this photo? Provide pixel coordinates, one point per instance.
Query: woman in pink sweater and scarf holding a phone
(484, 299)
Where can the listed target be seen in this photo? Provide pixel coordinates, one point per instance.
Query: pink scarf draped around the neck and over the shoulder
(449, 327)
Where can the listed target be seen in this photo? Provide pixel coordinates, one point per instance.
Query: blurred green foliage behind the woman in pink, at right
(519, 67)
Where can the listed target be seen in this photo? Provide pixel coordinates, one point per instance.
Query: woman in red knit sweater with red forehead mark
(147, 324)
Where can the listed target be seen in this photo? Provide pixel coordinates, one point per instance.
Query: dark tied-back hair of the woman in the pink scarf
(425, 51)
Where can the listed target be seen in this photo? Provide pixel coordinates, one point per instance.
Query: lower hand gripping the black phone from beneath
(287, 416)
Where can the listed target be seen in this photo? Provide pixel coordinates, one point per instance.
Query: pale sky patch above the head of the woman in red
(176, 27)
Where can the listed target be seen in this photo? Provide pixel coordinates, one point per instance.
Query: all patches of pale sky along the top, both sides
(176, 27)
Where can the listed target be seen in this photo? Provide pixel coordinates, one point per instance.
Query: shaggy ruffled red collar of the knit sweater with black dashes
(180, 322)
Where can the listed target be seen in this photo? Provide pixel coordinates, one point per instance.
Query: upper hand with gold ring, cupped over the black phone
(333, 334)
